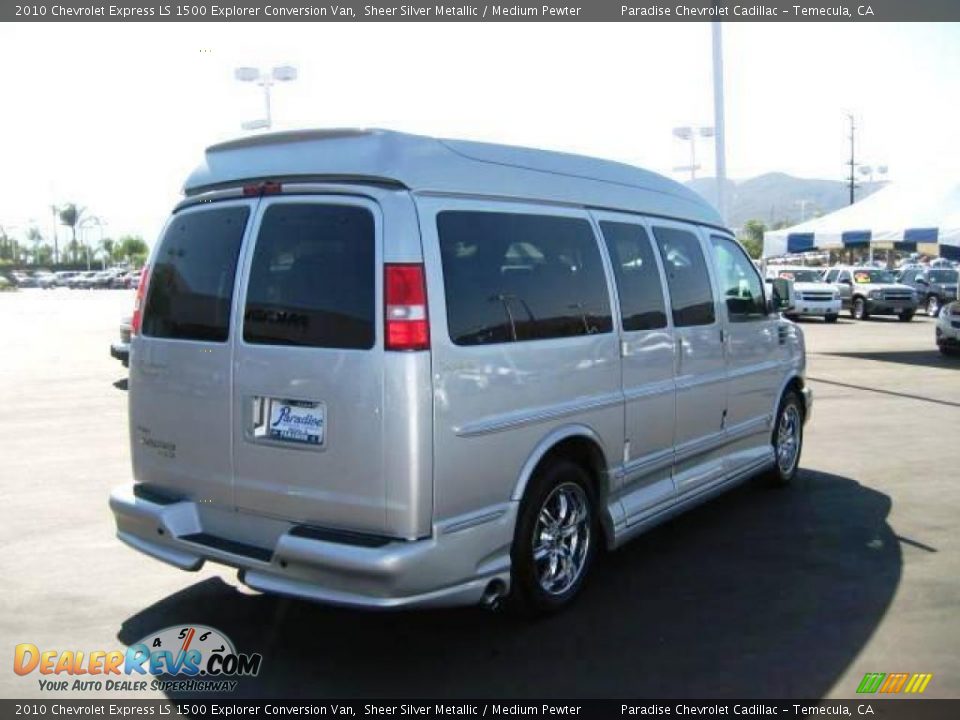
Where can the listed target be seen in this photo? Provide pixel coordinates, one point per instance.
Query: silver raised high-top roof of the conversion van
(431, 165)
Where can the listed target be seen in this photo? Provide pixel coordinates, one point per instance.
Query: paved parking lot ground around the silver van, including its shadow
(761, 593)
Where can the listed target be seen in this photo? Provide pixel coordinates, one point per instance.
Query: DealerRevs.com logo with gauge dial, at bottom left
(190, 658)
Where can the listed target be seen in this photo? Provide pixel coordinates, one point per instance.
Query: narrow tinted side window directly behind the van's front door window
(691, 296)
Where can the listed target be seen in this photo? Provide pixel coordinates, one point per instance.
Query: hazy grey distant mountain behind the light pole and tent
(776, 197)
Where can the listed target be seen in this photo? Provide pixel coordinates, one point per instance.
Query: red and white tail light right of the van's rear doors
(405, 312)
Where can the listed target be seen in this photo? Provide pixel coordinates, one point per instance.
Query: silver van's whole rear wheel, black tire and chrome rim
(555, 541)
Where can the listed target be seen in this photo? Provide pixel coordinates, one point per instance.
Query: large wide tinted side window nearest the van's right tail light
(511, 277)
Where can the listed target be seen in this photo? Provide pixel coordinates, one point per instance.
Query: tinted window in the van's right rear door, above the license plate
(312, 282)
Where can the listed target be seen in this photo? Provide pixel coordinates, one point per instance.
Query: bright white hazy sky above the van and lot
(114, 116)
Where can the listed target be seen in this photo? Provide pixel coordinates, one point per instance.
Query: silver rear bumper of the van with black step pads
(464, 561)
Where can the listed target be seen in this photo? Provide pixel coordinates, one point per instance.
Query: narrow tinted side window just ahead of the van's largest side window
(638, 278)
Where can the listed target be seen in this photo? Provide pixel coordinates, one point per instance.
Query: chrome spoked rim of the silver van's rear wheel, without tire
(561, 538)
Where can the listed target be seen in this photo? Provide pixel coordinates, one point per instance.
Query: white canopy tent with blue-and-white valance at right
(910, 218)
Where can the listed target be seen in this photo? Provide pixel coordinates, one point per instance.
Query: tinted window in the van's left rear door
(191, 284)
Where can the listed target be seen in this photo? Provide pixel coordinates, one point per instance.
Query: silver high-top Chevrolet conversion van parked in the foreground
(382, 370)
